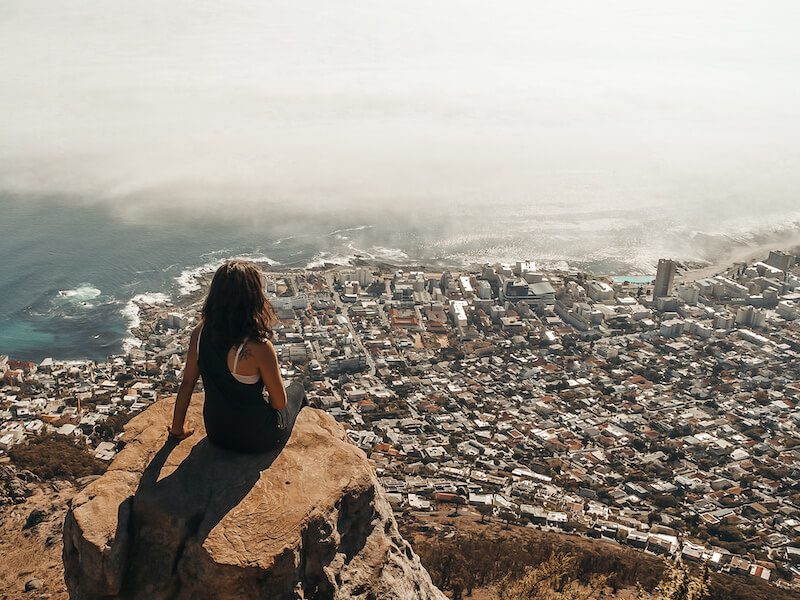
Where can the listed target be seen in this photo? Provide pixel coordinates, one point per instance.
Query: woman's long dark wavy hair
(236, 307)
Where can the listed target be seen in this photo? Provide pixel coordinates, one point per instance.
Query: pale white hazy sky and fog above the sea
(688, 104)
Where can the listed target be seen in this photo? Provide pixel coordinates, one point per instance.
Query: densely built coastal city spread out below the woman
(659, 412)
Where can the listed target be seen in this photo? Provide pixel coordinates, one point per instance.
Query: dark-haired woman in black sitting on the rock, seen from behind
(231, 350)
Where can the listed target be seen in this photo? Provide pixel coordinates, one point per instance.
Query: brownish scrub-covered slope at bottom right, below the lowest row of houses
(562, 568)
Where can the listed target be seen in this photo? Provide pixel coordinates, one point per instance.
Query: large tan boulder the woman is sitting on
(188, 520)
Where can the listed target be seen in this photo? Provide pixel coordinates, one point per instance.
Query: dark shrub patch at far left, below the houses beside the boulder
(54, 456)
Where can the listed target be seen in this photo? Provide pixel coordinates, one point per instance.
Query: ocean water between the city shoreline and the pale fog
(72, 274)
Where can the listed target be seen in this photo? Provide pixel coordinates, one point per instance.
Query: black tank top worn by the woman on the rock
(237, 416)
